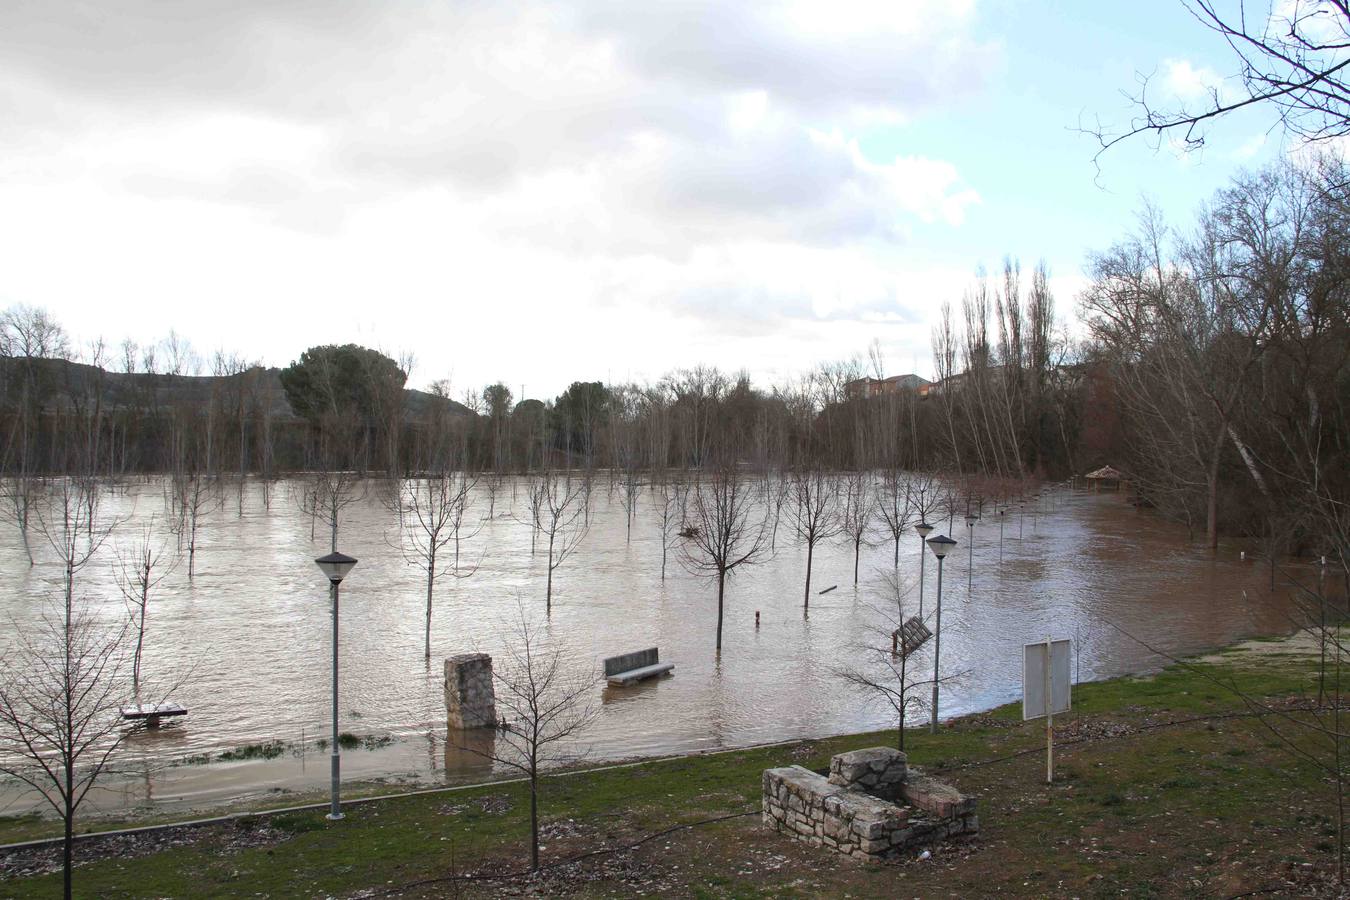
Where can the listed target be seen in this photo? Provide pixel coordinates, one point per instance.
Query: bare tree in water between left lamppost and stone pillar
(431, 512)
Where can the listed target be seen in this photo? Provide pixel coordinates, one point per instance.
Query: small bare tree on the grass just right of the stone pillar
(543, 706)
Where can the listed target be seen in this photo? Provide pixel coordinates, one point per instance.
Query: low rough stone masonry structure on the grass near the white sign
(873, 806)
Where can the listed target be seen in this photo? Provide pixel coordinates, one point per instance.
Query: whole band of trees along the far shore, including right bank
(1213, 376)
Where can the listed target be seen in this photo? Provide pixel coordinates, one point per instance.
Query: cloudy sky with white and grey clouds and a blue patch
(539, 194)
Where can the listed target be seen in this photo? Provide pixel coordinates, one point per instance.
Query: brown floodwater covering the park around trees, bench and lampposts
(249, 636)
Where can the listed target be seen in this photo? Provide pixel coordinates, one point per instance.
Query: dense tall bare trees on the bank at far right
(1226, 350)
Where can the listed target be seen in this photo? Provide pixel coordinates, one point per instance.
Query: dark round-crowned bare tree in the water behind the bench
(720, 535)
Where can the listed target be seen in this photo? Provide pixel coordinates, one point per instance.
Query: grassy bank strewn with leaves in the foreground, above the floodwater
(1167, 786)
